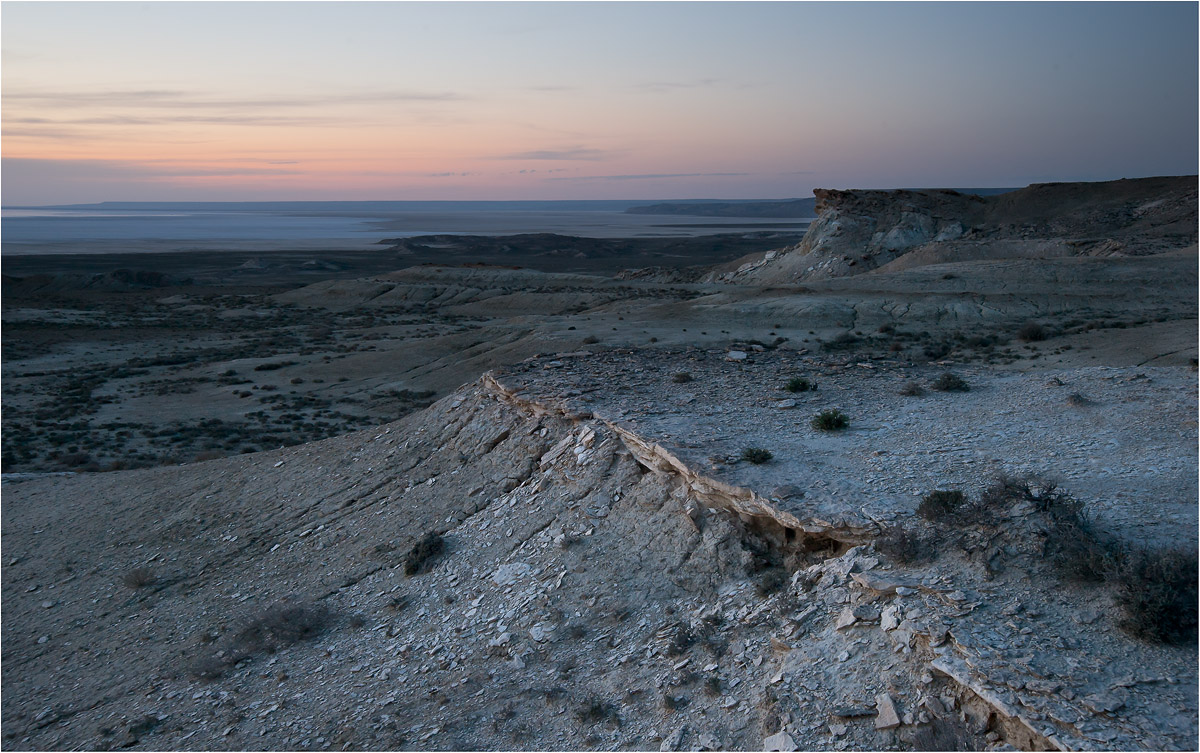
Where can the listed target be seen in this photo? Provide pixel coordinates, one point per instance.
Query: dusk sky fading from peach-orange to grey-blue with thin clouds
(412, 101)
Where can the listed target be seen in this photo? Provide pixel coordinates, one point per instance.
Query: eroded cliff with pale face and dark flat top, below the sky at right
(857, 232)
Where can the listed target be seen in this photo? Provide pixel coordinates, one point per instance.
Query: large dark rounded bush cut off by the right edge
(1156, 593)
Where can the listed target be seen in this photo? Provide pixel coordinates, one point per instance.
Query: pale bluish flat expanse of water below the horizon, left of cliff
(236, 226)
